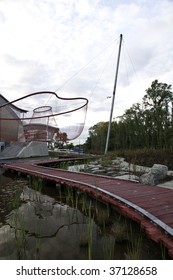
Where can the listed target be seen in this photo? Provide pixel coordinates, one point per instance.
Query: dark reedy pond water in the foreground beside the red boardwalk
(43, 220)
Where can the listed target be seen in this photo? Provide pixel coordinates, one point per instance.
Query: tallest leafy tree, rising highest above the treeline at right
(157, 104)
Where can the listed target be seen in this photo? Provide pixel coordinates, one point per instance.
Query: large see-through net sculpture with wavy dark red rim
(46, 117)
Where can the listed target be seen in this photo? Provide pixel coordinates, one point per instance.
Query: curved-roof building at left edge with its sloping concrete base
(13, 141)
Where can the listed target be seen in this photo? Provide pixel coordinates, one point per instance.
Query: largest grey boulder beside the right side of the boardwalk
(157, 172)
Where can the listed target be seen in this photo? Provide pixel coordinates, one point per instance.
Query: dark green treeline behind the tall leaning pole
(145, 125)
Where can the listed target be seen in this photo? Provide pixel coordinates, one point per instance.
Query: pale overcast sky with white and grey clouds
(71, 46)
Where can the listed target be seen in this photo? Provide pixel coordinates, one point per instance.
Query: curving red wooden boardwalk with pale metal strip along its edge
(150, 206)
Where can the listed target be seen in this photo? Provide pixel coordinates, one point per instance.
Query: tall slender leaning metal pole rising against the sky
(113, 97)
